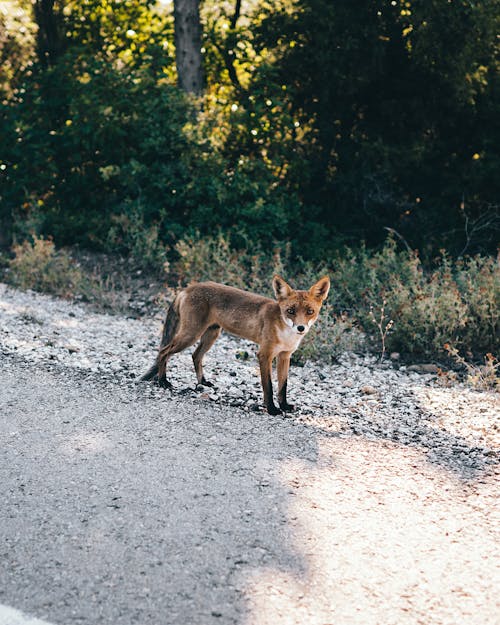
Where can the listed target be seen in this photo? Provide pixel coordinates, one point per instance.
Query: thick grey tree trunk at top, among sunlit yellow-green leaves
(188, 45)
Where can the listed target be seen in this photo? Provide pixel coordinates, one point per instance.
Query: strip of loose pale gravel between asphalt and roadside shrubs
(457, 427)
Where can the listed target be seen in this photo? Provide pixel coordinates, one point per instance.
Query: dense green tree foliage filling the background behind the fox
(323, 124)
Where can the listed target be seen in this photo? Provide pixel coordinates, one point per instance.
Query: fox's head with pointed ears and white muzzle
(300, 309)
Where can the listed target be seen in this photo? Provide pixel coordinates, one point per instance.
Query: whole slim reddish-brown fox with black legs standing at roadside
(203, 309)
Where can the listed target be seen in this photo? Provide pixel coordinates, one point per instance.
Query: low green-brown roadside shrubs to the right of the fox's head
(428, 307)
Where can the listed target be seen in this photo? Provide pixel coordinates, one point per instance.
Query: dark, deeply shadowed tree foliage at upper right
(396, 106)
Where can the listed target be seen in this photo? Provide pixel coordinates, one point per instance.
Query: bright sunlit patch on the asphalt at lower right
(386, 538)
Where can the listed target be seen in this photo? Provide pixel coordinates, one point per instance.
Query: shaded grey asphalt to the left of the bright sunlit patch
(119, 507)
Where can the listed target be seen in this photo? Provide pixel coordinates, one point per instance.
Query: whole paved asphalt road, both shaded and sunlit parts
(120, 508)
